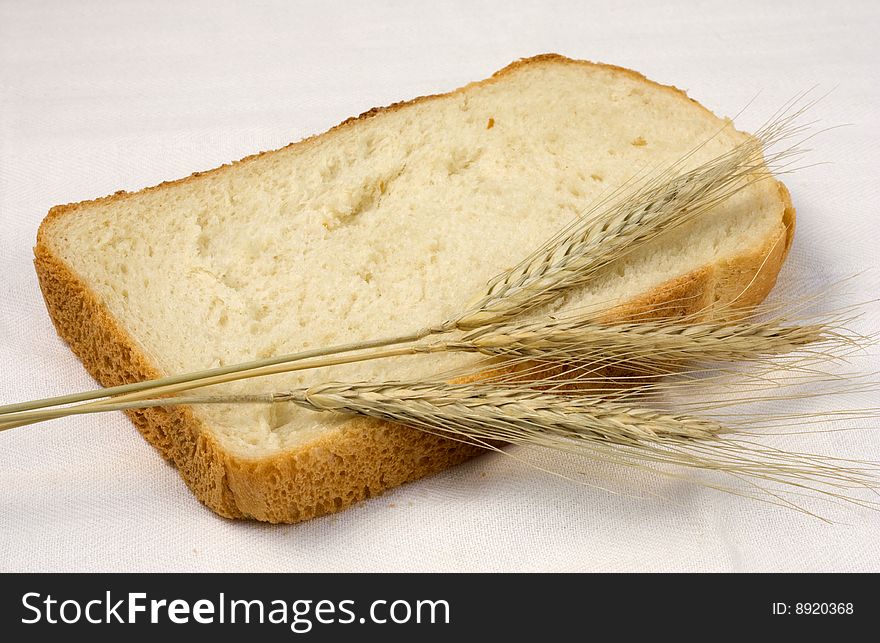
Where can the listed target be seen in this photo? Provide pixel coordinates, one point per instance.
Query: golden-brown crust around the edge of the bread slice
(363, 457)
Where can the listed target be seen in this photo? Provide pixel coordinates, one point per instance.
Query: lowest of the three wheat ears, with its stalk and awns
(613, 432)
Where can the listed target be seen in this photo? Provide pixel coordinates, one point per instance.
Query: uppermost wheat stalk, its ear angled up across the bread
(612, 228)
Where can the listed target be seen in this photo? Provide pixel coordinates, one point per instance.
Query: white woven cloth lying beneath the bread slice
(98, 97)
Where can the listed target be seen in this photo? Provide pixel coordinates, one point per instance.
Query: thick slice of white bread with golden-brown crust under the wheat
(387, 223)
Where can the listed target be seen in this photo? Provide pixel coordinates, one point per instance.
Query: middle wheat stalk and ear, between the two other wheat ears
(586, 348)
